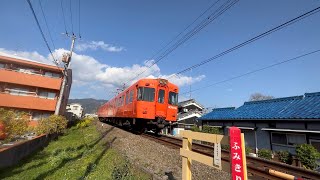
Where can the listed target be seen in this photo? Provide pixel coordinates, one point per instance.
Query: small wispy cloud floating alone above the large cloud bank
(95, 45)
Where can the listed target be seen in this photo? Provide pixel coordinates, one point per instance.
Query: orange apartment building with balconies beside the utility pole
(32, 87)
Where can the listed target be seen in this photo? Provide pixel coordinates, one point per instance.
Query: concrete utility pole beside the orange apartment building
(65, 75)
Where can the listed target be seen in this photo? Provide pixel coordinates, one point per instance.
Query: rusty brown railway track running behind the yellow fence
(257, 168)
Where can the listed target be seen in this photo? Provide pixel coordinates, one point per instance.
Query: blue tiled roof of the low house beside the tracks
(295, 107)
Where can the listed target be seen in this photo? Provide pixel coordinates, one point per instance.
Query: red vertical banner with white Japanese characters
(237, 169)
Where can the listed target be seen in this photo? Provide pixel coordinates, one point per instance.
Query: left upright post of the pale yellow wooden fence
(186, 162)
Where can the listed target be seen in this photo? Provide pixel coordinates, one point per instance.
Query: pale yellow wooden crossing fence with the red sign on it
(188, 155)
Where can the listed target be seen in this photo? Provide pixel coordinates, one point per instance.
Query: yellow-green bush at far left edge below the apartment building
(15, 123)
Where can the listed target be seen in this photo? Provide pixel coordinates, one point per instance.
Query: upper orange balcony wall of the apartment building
(35, 80)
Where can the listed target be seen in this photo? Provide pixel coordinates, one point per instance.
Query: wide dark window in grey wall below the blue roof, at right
(288, 139)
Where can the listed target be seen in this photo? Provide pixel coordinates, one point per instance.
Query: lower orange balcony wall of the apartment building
(27, 102)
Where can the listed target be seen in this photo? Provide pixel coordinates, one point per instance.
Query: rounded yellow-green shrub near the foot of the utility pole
(52, 124)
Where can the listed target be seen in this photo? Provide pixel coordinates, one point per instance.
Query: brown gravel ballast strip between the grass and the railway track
(162, 161)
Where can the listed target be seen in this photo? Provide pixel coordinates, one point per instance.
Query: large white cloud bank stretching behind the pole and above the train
(89, 73)
